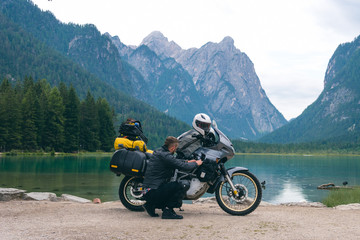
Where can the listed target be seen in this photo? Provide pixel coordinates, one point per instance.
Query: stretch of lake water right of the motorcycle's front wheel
(295, 178)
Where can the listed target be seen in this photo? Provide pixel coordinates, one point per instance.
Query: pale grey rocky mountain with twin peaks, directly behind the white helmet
(225, 78)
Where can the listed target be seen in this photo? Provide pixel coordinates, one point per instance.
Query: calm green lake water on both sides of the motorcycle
(288, 178)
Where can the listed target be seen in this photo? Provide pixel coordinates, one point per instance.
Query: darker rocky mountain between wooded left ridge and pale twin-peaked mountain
(168, 86)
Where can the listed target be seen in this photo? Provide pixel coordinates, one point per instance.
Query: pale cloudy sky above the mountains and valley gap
(289, 41)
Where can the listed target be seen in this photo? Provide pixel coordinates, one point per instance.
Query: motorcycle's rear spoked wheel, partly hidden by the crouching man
(130, 193)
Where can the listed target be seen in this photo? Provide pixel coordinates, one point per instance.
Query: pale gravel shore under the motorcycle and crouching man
(69, 220)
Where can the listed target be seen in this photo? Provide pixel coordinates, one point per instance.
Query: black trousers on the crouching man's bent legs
(168, 195)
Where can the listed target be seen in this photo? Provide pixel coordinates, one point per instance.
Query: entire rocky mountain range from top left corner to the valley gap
(217, 78)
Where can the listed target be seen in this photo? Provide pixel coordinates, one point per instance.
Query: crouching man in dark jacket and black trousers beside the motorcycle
(159, 192)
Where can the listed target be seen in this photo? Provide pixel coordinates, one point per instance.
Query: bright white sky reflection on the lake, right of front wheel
(289, 193)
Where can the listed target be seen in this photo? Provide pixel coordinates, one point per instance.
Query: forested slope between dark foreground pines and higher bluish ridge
(23, 55)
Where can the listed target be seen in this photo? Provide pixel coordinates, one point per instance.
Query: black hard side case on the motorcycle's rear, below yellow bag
(128, 162)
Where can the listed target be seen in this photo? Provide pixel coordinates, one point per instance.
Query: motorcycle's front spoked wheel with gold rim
(248, 197)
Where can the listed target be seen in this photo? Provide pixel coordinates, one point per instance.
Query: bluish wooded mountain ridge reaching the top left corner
(84, 44)
